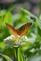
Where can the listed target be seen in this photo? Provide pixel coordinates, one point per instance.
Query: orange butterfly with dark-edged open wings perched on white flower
(21, 31)
